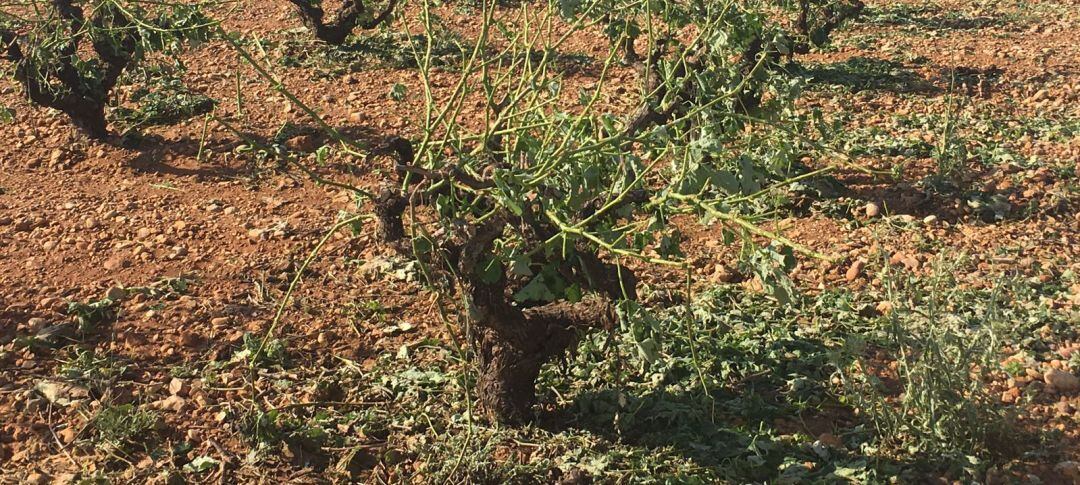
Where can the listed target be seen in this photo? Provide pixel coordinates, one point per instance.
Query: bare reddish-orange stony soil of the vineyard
(213, 239)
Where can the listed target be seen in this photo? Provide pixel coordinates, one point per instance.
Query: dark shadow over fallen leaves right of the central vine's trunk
(776, 421)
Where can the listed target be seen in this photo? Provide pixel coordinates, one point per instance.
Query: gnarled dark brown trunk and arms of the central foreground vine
(511, 343)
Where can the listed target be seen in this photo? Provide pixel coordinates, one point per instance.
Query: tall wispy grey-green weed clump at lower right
(925, 390)
